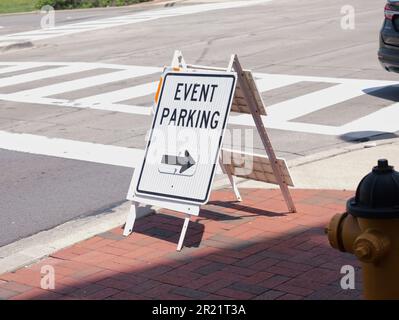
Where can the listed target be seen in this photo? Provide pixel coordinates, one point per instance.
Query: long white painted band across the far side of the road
(139, 17)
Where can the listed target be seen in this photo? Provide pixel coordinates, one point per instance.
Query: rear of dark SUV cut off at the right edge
(389, 37)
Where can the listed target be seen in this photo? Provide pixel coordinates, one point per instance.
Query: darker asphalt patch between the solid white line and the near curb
(39, 192)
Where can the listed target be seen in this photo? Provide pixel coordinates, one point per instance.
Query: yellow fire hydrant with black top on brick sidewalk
(370, 230)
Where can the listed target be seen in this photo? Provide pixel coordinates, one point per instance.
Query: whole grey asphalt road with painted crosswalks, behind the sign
(316, 110)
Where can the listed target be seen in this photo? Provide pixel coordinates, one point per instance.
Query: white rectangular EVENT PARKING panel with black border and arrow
(186, 136)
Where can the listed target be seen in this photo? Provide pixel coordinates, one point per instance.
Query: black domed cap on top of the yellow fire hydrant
(377, 196)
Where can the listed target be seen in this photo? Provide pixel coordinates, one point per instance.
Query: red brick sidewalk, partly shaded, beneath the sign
(248, 250)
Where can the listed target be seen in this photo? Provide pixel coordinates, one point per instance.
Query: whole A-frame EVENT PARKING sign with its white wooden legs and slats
(199, 99)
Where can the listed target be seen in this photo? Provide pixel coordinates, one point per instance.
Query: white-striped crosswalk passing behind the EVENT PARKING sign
(110, 91)
